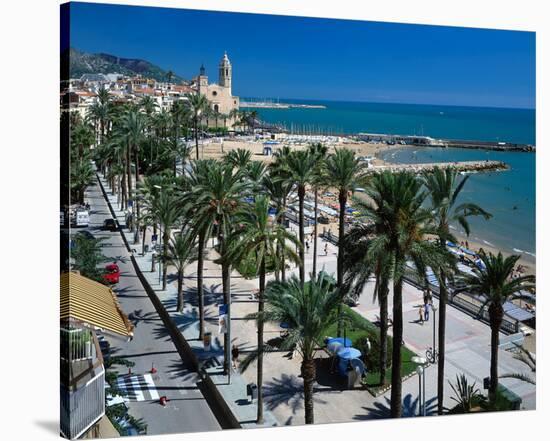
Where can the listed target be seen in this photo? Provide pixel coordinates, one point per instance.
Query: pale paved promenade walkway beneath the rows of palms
(467, 349)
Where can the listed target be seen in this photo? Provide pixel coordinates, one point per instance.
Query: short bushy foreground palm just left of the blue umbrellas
(309, 310)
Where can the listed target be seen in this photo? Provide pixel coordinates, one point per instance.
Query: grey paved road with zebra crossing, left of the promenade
(187, 409)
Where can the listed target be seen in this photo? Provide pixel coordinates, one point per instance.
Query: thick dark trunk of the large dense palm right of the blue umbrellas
(396, 386)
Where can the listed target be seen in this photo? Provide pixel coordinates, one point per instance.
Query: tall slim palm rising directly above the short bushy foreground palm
(300, 167)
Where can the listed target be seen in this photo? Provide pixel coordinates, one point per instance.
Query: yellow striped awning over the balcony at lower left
(93, 304)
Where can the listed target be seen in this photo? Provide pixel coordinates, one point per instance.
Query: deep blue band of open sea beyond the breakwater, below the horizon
(477, 123)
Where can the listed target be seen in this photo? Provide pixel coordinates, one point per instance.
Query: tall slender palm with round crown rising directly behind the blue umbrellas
(344, 171)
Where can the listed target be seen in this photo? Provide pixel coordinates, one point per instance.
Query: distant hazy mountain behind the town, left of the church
(86, 63)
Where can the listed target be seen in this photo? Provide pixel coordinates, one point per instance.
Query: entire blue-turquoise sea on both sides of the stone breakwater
(508, 195)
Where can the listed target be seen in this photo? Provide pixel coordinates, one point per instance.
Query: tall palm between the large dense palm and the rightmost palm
(444, 190)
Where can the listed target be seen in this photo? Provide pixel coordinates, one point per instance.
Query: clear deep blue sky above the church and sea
(307, 58)
